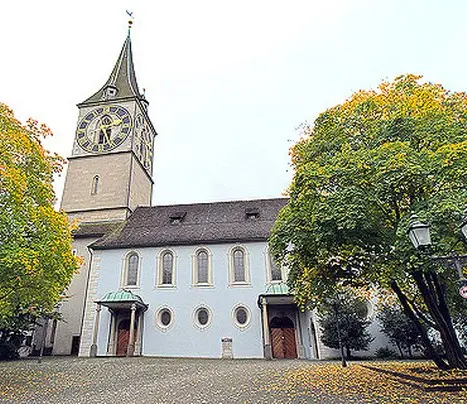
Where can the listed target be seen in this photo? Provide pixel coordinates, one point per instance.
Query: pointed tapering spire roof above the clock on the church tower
(122, 81)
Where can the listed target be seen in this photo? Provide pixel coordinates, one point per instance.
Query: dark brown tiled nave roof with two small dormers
(201, 223)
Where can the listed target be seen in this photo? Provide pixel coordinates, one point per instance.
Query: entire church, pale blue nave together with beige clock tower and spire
(191, 280)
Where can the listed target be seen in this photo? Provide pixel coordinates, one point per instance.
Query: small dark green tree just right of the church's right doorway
(351, 313)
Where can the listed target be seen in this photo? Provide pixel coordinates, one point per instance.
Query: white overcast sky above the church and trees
(228, 81)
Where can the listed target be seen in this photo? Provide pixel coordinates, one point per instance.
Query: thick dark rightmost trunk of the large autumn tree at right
(433, 296)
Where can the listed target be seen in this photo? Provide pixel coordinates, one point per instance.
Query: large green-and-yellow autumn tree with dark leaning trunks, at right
(361, 170)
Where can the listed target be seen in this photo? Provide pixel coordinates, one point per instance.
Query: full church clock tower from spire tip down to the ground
(109, 174)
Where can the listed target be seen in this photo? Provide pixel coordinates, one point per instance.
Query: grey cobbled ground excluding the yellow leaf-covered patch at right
(149, 380)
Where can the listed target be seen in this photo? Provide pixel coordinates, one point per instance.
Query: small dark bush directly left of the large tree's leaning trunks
(400, 330)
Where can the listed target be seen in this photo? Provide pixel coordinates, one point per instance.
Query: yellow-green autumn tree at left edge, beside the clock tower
(36, 260)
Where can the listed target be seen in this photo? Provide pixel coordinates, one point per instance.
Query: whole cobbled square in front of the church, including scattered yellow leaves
(161, 380)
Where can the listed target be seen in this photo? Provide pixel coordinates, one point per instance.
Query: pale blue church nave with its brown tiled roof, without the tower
(193, 281)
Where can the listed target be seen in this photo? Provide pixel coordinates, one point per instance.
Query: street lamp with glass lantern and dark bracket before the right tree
(419, 235)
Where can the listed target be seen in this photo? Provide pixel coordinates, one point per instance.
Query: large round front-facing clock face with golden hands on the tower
(103, 129)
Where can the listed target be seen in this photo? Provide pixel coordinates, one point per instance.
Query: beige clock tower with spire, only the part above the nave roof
(110, 169)
